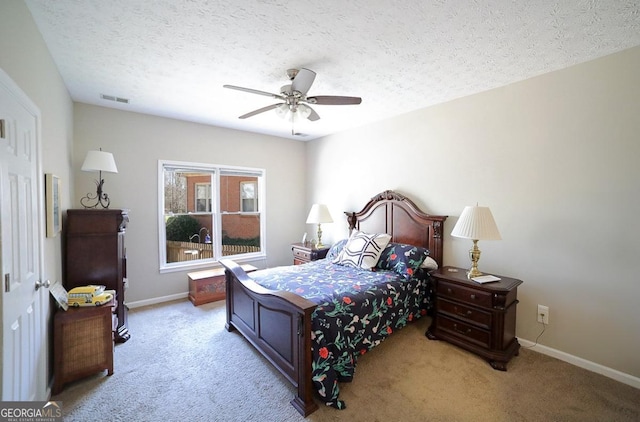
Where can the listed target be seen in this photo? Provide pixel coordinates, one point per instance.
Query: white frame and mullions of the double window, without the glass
(217, 170)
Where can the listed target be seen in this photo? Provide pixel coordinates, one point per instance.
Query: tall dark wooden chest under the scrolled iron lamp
(95, 253)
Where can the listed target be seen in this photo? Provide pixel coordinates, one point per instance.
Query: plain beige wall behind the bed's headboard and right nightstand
(556, 159)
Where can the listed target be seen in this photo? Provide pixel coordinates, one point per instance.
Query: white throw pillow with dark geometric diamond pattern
(362, 250)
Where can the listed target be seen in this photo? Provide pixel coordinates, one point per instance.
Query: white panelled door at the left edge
(24, 307)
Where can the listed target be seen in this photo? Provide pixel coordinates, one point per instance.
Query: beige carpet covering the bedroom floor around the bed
(181, 365)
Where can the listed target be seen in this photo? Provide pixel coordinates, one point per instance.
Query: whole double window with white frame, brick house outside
(207, 212)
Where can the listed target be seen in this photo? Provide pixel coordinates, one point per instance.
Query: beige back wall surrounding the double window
(138, 141)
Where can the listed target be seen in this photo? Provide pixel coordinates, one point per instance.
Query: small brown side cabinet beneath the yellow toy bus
(82, 343)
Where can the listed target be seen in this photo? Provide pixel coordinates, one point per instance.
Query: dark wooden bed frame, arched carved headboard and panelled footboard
(278, 323)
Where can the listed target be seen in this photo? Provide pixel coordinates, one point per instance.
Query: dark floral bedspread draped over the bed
(357, 310)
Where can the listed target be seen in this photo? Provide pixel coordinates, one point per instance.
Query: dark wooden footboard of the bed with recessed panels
(278, 324)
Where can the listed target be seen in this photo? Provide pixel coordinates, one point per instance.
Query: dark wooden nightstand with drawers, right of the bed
(480, 318)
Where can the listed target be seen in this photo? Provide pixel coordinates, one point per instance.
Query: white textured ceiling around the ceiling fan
(171, 57)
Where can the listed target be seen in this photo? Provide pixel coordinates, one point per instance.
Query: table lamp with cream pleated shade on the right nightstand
(476, 223)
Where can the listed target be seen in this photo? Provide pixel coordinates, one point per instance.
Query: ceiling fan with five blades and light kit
(294, 99)
